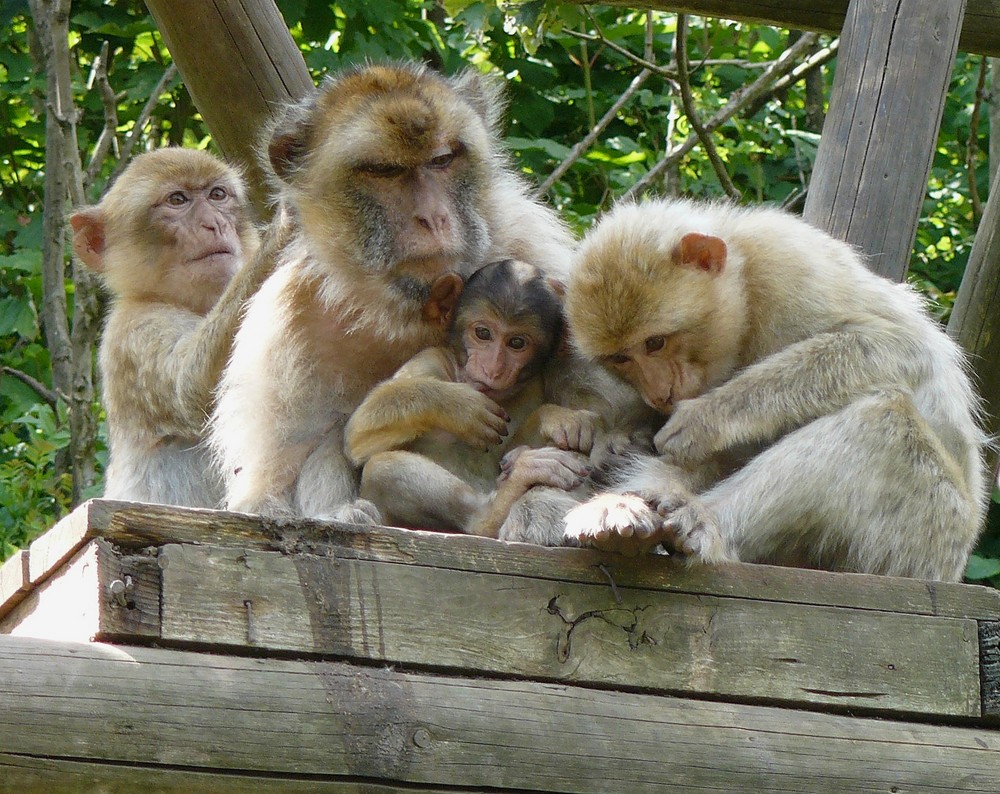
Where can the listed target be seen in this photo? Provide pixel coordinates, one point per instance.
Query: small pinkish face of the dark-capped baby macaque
(500, 354)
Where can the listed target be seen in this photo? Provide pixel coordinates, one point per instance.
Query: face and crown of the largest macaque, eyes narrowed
(403, 170)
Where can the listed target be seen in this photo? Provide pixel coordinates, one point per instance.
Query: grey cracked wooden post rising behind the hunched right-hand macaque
(870, 176)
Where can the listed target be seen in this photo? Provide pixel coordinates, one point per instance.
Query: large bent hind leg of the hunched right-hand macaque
(790, 505)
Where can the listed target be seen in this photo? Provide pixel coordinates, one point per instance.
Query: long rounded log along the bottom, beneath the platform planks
(152, 706)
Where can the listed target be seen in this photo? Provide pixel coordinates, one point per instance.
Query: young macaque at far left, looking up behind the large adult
(170, 239)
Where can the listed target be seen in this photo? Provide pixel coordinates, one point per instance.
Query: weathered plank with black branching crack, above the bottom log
(513, 625)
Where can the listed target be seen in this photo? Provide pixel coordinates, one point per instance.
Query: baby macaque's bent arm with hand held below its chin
(422, 396)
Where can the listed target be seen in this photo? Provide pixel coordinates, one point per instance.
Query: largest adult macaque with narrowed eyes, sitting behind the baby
(396, 179)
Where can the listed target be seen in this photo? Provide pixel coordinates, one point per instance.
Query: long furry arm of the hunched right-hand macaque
(788, 389)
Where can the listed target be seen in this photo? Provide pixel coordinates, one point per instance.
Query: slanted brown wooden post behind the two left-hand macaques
(240, 63)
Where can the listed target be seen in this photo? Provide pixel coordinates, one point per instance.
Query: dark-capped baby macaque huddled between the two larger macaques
(433, 437)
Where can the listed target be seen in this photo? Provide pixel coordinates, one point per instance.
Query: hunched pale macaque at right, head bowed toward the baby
(818, 416)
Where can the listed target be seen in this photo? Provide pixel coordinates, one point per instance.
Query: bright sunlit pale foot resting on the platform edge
(624, 523)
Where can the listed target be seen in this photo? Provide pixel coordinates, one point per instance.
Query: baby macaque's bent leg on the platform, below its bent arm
(413, 491)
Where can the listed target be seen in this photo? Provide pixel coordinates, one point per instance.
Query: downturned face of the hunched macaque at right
(663, 367)
